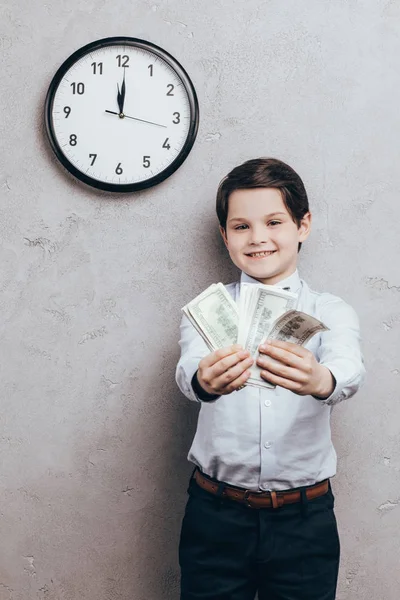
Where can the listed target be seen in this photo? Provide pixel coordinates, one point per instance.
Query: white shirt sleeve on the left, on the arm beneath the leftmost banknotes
(193, 349)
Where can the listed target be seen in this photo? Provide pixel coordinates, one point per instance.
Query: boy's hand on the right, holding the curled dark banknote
(297, 369)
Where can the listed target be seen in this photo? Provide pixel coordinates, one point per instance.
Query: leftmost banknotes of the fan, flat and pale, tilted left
(214, 314)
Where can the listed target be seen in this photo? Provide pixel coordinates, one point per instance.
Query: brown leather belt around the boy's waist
(260, 499)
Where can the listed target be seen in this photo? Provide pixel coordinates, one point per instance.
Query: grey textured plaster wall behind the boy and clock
(93, 432)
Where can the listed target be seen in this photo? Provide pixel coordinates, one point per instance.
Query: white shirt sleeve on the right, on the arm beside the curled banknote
(340, 349)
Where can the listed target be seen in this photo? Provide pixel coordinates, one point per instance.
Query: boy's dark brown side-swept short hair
(268, 173)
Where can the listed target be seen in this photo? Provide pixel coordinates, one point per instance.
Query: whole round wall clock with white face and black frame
(121, 114)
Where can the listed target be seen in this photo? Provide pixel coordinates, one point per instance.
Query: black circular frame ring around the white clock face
(194, 114)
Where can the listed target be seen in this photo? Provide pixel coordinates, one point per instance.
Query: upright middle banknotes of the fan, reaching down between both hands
(259, 307)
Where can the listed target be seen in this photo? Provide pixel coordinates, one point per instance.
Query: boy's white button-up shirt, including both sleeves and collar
(274, 439)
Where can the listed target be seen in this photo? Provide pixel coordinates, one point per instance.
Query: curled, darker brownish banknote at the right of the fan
(296, 327)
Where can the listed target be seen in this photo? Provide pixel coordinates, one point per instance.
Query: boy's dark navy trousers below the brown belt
(228, 551)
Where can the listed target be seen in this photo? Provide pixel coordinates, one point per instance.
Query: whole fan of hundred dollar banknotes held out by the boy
(262, 311)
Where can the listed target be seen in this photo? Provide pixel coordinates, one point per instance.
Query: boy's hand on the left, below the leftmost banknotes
(225, 370)
